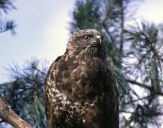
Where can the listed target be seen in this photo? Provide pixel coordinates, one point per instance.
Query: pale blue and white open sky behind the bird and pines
(42, 29)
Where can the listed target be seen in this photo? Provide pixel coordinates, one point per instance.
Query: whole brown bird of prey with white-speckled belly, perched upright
(80, 90)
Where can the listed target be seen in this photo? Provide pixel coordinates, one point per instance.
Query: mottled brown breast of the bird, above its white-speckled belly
(81, 76)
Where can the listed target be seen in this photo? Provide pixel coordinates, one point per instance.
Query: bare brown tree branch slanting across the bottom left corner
(7, 114)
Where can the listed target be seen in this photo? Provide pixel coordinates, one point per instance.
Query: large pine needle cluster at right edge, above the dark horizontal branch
(146, 48)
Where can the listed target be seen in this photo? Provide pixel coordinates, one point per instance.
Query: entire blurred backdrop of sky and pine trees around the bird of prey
(34, 33)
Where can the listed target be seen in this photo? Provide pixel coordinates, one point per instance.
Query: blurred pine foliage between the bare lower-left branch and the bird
(26, 93)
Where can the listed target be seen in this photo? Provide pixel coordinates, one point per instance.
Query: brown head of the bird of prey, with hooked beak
(88, 42)
